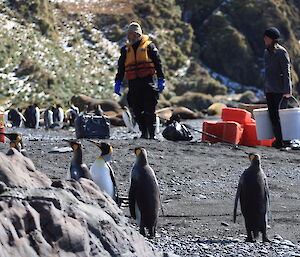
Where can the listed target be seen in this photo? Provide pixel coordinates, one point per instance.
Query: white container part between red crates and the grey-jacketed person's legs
(263, 124)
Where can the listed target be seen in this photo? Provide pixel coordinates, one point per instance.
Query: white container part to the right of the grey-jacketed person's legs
(290, 123)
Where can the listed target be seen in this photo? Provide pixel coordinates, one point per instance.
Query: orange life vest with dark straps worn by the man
(138, 65)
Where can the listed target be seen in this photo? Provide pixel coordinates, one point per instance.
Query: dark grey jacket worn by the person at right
(277, 71)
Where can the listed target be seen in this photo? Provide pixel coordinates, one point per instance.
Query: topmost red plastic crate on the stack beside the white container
(238, 115)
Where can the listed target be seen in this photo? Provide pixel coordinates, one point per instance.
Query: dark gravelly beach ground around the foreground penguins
(198, 183)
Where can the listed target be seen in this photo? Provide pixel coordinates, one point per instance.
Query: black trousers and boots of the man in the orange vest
(142, 98)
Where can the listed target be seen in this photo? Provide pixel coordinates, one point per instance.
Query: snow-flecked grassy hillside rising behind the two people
(51, 50)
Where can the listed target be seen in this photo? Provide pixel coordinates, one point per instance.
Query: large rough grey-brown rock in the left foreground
(66, 218)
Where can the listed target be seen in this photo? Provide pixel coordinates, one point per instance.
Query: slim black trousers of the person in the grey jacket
(273, 100)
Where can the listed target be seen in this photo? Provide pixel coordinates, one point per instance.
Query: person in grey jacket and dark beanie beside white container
(278, 83)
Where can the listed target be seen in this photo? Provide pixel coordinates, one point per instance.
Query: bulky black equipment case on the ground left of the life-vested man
(92, 126)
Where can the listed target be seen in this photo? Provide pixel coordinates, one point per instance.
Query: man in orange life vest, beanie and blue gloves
(139, 62)
